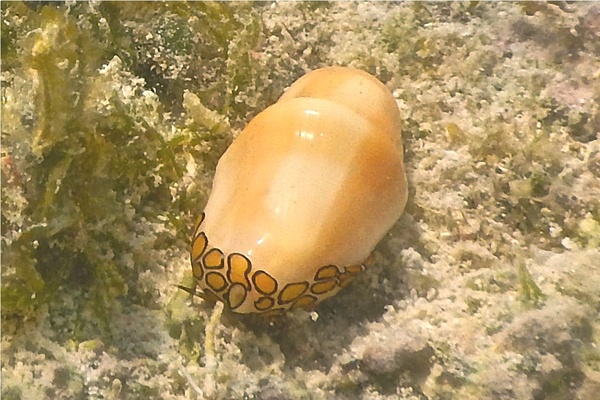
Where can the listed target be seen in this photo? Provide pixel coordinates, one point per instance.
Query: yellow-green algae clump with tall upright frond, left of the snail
(75, 177)
